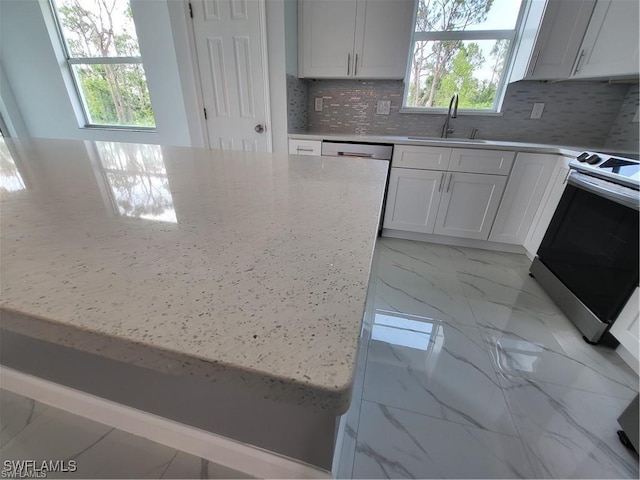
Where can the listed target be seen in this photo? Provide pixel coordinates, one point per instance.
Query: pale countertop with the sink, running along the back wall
(570, 151)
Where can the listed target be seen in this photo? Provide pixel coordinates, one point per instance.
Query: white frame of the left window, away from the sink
(77, 89)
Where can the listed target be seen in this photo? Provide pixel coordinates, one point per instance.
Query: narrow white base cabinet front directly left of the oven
(550, 200)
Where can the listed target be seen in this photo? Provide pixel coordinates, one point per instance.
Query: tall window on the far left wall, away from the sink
(103, 56)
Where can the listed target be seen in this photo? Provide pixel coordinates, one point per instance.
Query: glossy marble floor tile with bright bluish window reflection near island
(434, 368)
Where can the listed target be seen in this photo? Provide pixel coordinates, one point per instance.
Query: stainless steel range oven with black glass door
(588, 259)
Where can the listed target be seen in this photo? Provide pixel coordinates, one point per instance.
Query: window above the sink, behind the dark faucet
(460, 46)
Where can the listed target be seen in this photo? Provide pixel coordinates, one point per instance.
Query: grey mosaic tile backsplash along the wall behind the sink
(575, 113)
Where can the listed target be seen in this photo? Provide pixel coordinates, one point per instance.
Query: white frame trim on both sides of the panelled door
(196, 70)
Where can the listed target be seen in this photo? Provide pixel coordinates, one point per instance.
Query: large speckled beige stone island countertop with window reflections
(233, 266)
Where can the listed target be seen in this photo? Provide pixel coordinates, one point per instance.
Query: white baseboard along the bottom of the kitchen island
(251, 460)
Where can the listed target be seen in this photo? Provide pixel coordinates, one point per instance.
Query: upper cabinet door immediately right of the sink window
(559, 38)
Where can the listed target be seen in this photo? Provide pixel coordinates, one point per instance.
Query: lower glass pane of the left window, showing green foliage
(115, 94)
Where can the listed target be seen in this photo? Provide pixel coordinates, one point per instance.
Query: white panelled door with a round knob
(231, 48)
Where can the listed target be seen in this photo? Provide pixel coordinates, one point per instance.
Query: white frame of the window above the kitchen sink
(465, 35)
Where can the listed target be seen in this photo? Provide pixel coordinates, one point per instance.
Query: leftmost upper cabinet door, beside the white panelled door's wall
(326, 38)
